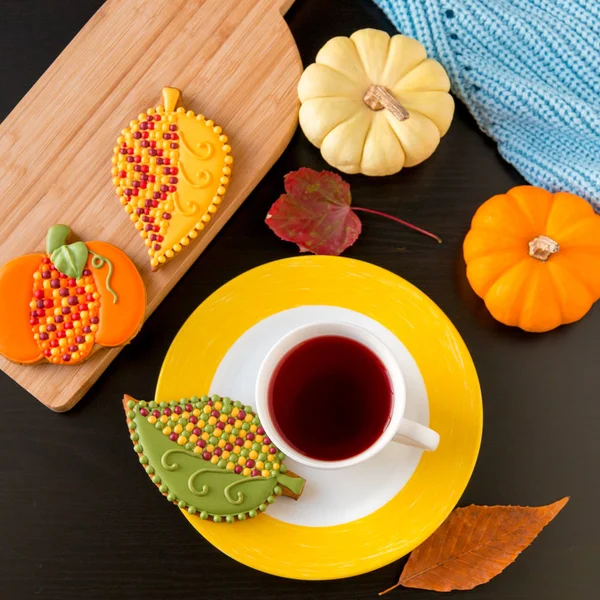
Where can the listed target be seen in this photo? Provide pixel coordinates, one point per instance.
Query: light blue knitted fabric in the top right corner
(529, 72)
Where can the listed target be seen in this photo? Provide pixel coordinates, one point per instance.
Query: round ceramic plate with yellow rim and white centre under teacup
(355, 520)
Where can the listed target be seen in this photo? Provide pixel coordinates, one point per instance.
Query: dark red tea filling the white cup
(330, 398)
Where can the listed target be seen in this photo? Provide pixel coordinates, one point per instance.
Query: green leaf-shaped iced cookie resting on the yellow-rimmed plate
(210, 456)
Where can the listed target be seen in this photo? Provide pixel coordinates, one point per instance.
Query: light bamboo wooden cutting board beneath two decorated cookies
(235, 61)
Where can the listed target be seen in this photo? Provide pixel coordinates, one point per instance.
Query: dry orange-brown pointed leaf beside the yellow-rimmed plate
(474, 545)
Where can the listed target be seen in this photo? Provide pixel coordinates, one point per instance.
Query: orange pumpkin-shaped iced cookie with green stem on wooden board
(57, 306)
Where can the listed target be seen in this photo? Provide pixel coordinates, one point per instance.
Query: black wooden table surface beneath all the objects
(78, 517)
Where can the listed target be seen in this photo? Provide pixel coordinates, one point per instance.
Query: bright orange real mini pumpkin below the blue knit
(534, 257)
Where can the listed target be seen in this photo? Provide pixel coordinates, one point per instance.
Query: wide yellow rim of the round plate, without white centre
(389, 533)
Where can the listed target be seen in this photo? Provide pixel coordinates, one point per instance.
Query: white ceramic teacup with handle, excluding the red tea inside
(399, 429)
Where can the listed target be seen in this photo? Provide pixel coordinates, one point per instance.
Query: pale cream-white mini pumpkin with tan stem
(374, 104)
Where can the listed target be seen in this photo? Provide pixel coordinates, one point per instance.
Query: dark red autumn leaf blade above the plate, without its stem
(315, 213)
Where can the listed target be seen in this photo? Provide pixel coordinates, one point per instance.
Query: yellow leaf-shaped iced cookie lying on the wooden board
(171, 169)
